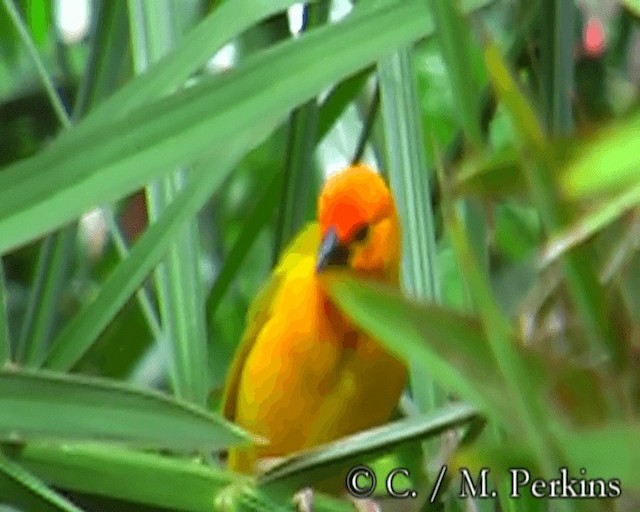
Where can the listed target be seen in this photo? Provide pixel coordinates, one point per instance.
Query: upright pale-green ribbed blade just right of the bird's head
(409, 177)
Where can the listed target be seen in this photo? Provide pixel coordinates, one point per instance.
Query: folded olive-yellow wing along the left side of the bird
(305, 244)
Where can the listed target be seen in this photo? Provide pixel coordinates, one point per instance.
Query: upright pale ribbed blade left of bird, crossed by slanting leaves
(154, 30)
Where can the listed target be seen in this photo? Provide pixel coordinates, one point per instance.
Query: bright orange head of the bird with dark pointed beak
(358, 222)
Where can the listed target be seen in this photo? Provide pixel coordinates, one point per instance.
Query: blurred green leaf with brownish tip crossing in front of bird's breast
(449, 346)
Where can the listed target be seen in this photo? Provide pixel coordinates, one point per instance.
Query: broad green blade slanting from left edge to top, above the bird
(106, 161)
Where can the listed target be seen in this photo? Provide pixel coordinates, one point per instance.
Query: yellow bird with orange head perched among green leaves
(304, 374)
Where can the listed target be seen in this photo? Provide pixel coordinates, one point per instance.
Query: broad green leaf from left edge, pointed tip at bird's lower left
(50, 406)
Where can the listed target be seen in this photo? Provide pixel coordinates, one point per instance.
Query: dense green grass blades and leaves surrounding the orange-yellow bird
(154, 165)
